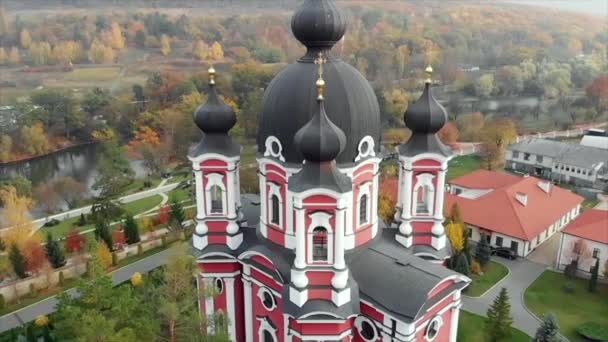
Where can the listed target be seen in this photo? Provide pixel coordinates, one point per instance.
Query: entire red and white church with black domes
(308, 259)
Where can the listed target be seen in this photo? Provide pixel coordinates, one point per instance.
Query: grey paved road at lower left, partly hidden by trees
(47, 306)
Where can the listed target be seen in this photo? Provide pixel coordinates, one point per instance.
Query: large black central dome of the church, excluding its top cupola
(291, 98)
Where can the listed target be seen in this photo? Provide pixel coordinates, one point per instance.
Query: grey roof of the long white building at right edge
(571, 154)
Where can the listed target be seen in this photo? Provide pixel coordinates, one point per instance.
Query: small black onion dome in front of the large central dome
(320, 140)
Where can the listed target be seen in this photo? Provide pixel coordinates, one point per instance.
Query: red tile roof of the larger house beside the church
(501, 212)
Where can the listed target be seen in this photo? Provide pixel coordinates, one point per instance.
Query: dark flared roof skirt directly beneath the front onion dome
(320, 175)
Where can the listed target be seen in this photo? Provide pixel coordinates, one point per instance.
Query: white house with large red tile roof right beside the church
(515, 212)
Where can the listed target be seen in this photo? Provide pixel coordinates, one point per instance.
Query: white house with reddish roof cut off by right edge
(591, 227)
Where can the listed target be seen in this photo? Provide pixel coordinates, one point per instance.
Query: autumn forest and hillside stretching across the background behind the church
(136, 76)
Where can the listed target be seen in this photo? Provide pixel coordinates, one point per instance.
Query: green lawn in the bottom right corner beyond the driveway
(546, 294)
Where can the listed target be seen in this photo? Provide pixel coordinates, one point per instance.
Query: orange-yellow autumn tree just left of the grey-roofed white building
(495, 137)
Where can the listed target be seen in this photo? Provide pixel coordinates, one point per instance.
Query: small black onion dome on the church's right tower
(426, 115)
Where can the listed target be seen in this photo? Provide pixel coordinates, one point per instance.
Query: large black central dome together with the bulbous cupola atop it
(291, 98)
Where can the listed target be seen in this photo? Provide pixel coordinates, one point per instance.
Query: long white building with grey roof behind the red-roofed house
(560, 162)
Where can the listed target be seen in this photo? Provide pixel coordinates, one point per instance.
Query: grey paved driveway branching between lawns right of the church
(523, 273)
